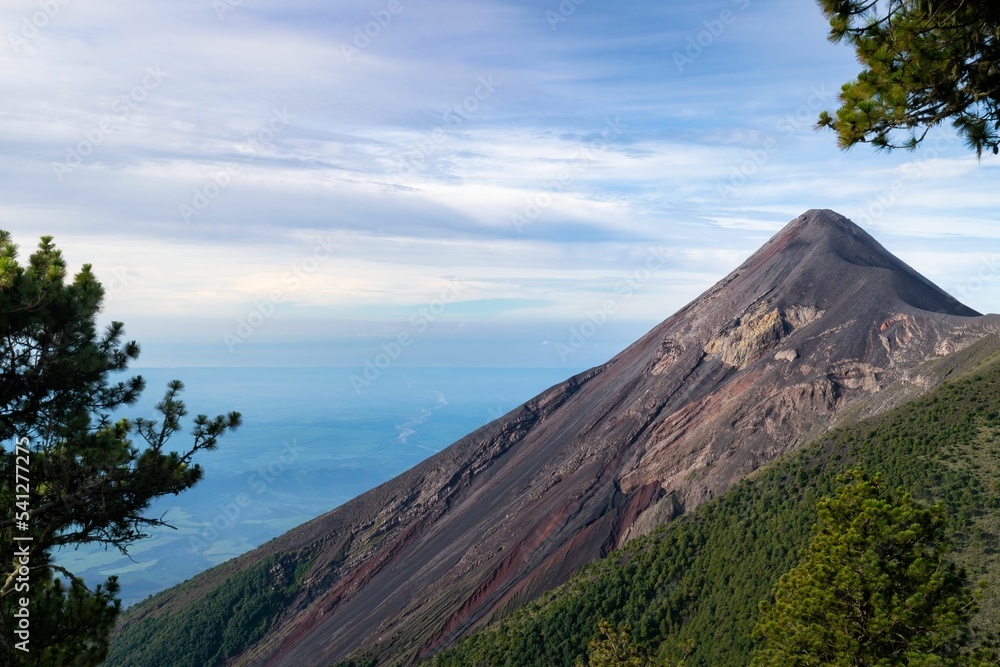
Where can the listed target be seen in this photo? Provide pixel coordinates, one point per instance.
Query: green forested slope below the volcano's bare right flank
(692, 588)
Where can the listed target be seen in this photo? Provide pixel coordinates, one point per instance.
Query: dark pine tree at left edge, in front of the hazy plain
(69, 475)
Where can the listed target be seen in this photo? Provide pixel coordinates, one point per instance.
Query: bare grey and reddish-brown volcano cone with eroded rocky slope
(820, 320)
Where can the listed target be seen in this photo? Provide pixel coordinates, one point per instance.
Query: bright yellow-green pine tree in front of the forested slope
(874, 589)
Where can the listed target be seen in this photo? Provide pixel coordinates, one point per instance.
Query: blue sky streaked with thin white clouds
(474, 183)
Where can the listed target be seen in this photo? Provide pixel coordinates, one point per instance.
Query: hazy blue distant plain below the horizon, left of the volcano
(309, 443)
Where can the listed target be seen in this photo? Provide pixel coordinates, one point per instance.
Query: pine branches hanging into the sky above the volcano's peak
(923, 62)
